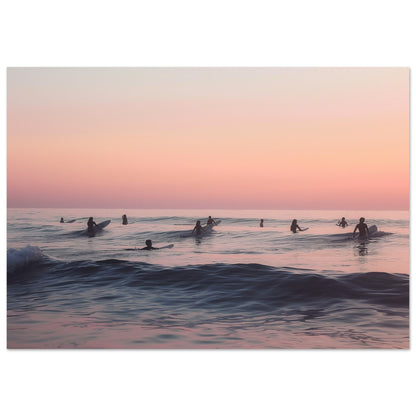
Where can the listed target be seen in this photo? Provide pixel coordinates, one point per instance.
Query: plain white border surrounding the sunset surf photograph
(200, 33)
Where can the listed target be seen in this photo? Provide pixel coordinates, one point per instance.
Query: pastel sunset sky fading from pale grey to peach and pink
(266, 138)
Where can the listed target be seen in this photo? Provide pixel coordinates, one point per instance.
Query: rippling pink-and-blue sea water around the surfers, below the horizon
(239, 286)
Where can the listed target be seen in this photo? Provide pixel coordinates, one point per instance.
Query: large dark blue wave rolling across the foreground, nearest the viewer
(251, 286)
